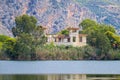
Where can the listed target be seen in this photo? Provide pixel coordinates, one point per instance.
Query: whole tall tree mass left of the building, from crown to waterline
(29, 37)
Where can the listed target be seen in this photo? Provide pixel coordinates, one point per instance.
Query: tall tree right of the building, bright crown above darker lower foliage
(97, 36)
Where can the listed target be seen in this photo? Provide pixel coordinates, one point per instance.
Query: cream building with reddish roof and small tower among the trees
(73, 38)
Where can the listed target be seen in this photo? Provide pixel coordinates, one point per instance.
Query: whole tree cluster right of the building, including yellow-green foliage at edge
(102, 37)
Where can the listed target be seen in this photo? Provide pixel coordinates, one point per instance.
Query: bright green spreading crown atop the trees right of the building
(90, 26)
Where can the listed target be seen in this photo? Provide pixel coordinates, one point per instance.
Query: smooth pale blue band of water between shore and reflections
(59, 67)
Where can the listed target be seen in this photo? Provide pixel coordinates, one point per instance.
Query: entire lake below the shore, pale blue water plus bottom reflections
(59, 70)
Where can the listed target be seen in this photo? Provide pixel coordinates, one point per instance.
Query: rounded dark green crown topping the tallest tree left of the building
(24, 24)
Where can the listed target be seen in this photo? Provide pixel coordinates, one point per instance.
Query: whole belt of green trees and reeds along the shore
(29, 43)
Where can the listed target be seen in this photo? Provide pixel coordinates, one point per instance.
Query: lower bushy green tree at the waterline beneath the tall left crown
(24, 48)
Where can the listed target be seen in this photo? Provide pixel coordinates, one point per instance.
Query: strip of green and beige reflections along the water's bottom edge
(59, 77)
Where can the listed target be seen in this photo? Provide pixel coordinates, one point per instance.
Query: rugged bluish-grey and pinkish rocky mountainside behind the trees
(58, 14)
